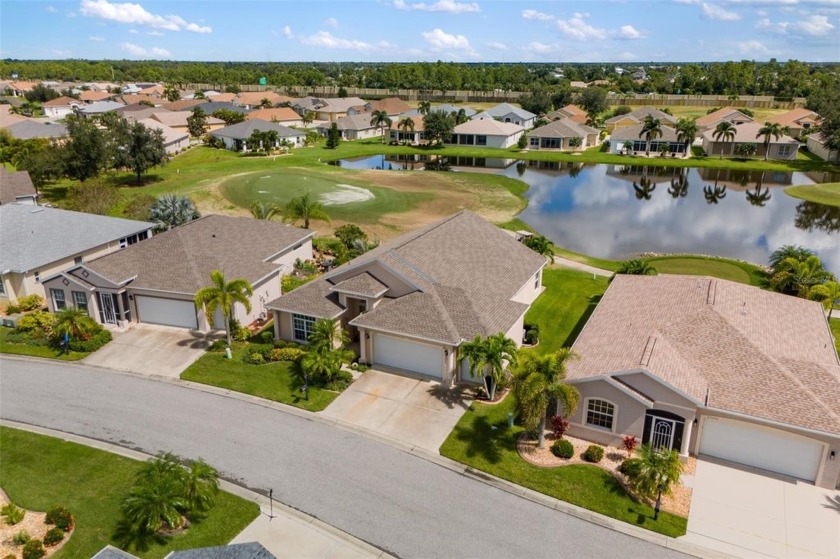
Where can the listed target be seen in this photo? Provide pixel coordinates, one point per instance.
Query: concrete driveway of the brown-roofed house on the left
(152, 350)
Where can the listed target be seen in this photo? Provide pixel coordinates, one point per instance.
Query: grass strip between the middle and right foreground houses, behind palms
(562, 309)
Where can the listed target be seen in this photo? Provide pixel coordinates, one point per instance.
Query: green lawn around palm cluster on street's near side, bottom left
(39, 472)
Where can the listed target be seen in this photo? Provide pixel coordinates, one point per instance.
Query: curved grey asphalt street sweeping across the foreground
(403, 504)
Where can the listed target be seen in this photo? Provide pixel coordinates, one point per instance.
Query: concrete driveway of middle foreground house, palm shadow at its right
(418, 412)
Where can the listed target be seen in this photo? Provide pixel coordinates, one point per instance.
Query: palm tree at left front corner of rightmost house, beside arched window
(536, 381)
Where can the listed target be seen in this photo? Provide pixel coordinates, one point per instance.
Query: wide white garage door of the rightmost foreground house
(760, 447)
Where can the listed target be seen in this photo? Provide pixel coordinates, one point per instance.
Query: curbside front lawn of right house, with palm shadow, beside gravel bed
(482, 440)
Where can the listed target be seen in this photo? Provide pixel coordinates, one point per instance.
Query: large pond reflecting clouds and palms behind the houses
(616, 211)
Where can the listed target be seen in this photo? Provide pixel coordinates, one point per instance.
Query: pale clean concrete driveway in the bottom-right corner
(747, 514)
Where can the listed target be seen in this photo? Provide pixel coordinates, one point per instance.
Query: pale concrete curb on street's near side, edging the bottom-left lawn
(261, 500)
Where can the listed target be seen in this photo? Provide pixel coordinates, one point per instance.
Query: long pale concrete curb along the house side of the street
(604, 521)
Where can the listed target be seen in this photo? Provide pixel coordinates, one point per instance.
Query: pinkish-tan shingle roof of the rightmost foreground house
(748, 350)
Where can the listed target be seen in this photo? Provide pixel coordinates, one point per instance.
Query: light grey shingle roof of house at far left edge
(33, 236)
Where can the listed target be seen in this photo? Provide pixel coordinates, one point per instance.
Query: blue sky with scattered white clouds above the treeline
(417, 30)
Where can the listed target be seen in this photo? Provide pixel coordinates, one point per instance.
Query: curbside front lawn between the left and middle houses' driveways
(272, 381)
